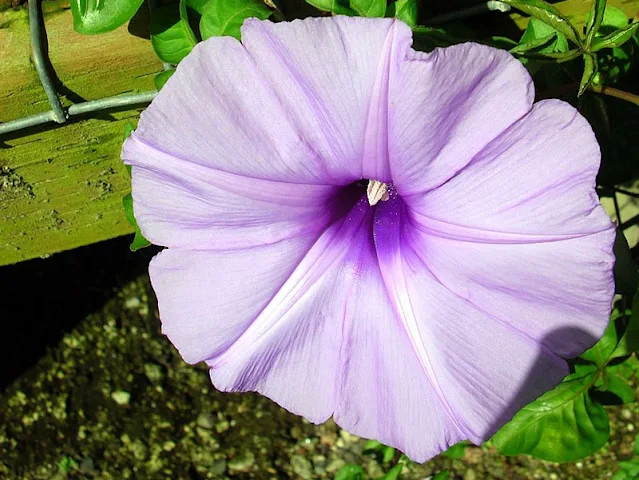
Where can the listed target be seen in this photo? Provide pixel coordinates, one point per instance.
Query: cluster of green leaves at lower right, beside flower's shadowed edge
(570, 422)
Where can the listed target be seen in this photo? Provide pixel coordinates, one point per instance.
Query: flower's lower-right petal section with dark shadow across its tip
(482, 368)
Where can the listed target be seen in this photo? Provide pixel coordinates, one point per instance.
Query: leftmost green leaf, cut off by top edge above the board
(99, 16)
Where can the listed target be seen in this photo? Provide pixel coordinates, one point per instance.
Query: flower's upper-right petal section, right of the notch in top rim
(446, 106)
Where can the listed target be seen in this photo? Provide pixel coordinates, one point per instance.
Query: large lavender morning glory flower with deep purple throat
(361, 230)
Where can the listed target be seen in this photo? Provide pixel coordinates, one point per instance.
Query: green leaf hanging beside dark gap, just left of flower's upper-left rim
(171, 35)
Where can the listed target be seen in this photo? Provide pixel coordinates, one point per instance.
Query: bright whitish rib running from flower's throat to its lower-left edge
(331, 247)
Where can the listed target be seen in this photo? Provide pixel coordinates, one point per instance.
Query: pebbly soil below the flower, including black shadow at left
(93, 390)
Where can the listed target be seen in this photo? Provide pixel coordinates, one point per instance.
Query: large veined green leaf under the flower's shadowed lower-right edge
(562, 425)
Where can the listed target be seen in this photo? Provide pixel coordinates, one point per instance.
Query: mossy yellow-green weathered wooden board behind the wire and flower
(61, 186)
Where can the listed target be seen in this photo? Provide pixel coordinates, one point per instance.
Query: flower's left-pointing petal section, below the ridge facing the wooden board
(183, 204)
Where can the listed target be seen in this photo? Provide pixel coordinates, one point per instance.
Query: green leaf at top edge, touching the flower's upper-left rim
(225, 17)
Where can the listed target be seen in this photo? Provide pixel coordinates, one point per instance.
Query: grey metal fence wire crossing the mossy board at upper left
(57, 113)
